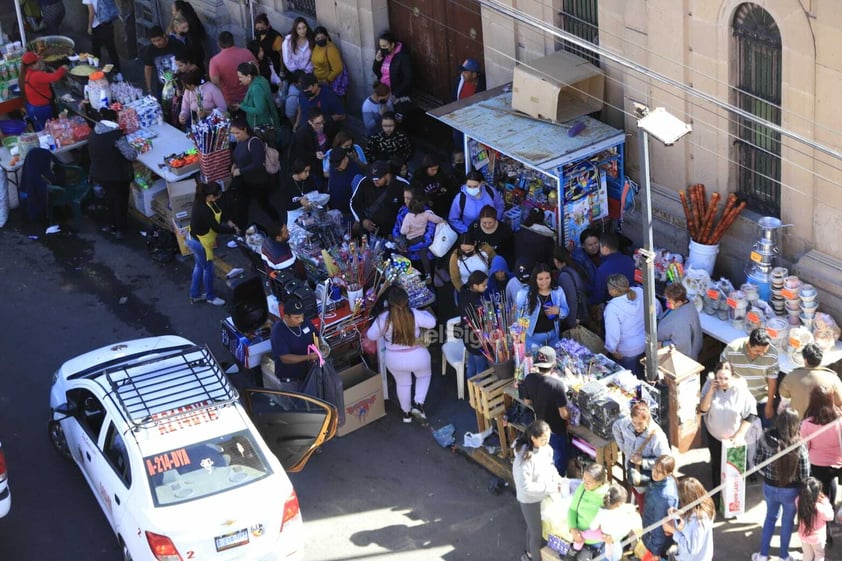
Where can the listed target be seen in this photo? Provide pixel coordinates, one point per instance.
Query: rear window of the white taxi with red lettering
(205, 468)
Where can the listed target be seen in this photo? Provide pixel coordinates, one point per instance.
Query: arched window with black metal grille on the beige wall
(758, 44)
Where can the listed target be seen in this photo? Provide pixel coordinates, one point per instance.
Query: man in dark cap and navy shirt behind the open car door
(290, 338)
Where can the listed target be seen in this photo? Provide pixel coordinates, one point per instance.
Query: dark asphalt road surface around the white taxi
(387, 491)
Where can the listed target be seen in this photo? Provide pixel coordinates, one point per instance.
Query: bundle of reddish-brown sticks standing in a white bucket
(701, 215)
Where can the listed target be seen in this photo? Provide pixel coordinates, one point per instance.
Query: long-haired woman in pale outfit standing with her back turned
(400, 326)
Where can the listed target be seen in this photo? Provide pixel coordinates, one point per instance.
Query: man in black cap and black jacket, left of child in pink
(378, 198)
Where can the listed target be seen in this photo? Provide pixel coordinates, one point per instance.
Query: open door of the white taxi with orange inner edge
(293, 425)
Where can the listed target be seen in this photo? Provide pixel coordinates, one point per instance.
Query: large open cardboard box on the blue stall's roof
(558, 87)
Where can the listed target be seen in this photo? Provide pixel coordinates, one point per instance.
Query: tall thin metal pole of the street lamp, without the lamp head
(648, 252)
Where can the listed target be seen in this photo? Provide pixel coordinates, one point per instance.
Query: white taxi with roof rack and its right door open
(177, 464)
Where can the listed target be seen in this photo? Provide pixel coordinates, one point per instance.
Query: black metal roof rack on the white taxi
(182, 382)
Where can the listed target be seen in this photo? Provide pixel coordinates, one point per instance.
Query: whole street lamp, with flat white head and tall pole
(668, 129)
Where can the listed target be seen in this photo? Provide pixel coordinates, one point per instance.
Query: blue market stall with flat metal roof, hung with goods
(563, 169)
